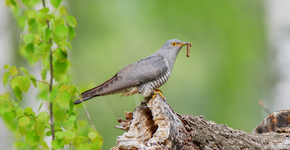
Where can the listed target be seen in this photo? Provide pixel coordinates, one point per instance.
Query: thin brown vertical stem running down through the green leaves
(51, 79)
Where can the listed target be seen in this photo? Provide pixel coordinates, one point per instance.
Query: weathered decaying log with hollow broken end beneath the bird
(154, 125)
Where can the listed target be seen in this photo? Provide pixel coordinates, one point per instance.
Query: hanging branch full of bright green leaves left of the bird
(46, 40)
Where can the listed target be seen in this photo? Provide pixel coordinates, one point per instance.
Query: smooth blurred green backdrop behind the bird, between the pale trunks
(227, 72)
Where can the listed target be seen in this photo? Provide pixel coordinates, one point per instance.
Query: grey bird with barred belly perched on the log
(142, 77)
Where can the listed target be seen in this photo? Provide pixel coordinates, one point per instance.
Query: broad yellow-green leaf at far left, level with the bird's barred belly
(22, 82)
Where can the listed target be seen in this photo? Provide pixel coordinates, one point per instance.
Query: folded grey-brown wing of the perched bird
(144, 70)
